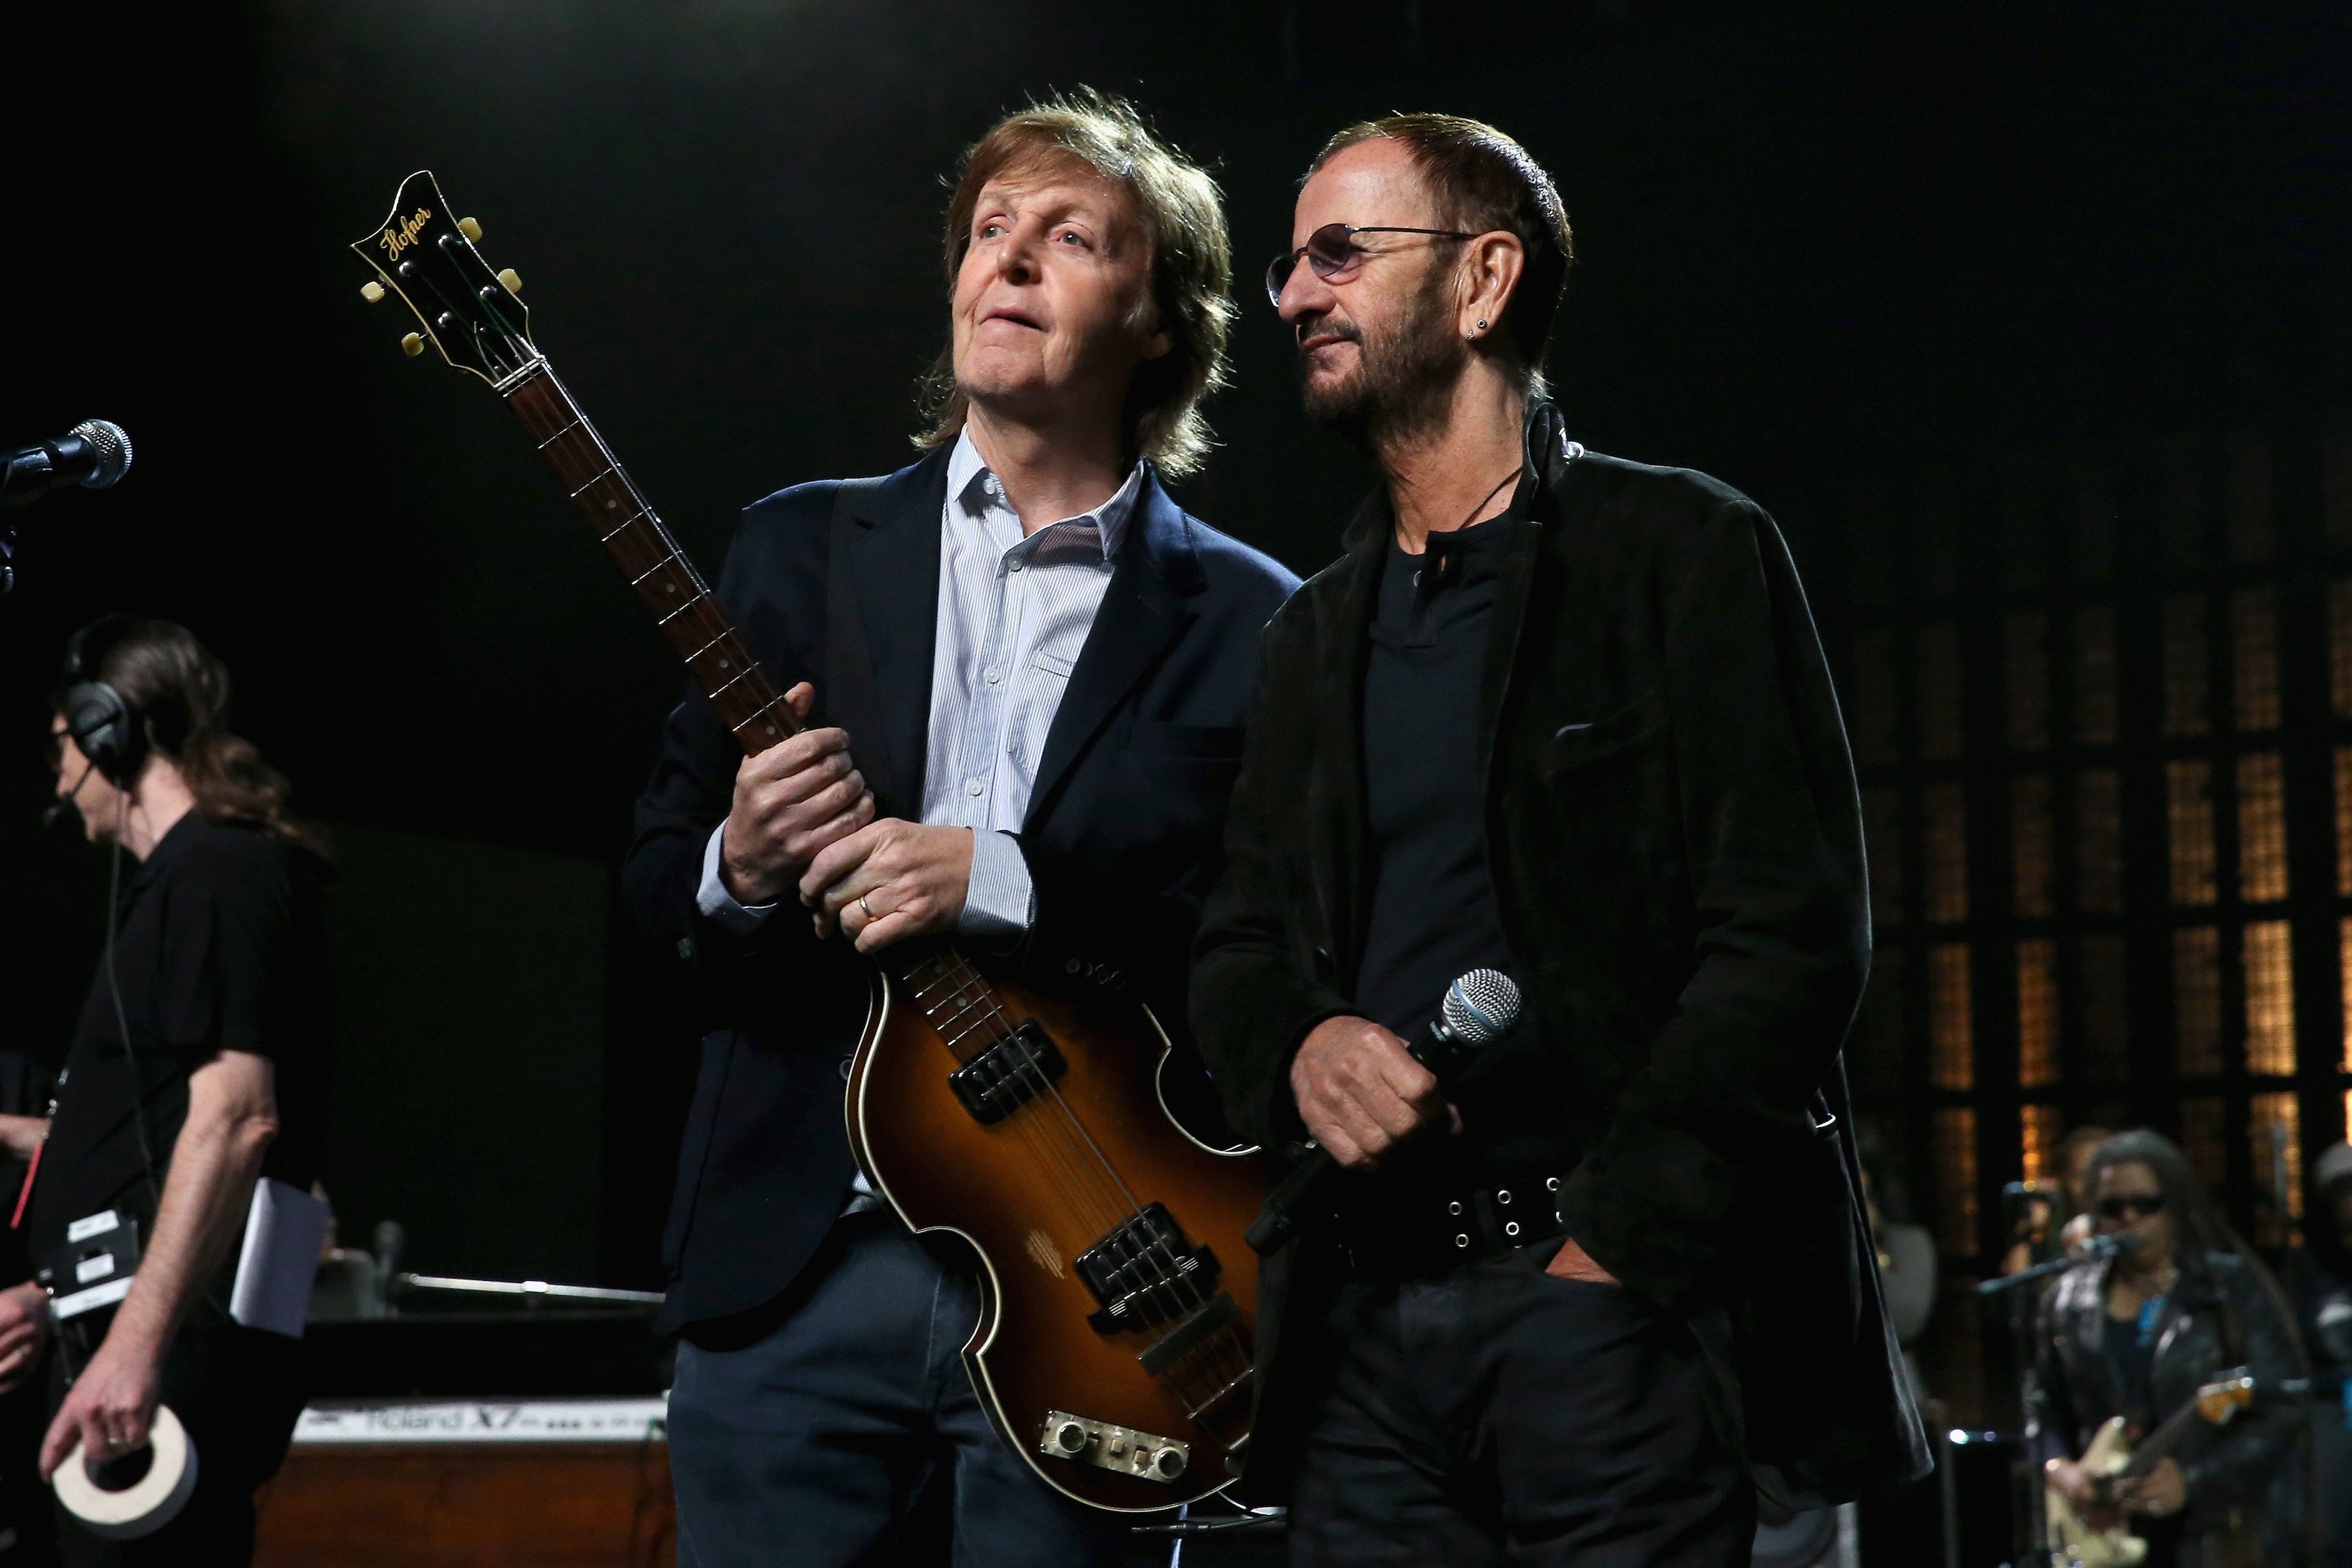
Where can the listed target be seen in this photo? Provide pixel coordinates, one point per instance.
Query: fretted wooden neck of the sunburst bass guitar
(747, 699)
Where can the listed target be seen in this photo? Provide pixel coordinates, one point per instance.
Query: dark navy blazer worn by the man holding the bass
(838, 584)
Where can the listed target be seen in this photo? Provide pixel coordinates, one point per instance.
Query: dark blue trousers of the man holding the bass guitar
(808, 1438)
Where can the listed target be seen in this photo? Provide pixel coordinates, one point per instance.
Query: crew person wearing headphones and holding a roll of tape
(199, 1071)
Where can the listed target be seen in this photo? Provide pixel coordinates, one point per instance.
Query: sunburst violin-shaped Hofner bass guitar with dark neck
(1116, 1341)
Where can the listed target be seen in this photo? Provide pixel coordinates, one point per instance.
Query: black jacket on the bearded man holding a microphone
(1678, 862)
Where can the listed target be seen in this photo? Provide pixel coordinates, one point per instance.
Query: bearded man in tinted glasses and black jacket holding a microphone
(1565, 718)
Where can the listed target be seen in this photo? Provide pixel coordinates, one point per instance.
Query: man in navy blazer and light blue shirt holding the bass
(1027, 674)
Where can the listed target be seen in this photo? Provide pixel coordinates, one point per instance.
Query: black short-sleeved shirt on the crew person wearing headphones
(222, 946)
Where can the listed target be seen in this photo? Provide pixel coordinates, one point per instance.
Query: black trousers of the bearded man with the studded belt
(1502, 1416)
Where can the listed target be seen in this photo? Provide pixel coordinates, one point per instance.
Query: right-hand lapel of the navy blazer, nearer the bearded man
(1142, 615)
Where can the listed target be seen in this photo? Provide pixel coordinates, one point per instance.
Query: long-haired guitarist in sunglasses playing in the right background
(2139, 1336)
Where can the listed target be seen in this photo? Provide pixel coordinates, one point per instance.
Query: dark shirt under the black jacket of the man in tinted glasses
(1434, 913)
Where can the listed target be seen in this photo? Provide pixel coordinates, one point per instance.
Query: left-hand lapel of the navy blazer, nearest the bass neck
(886, 626)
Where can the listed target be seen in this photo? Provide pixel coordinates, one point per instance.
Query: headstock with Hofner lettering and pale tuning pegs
(467, 311)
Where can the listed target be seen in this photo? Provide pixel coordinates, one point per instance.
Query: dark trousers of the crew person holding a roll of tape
(239, 1393)
